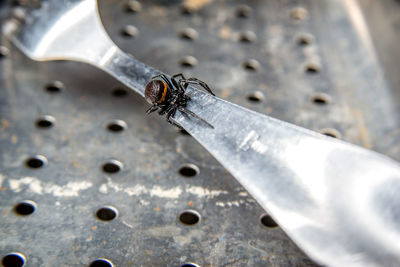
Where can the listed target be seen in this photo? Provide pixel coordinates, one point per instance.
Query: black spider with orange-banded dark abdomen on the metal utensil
(168, 95)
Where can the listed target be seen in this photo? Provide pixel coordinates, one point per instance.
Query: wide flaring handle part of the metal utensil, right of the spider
(339, 202)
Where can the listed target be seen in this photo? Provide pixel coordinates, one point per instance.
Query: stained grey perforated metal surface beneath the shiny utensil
(306, 62)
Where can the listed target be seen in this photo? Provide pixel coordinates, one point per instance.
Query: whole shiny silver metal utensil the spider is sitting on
(329, 196)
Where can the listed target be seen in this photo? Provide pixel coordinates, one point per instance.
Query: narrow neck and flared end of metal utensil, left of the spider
(51, 33)
